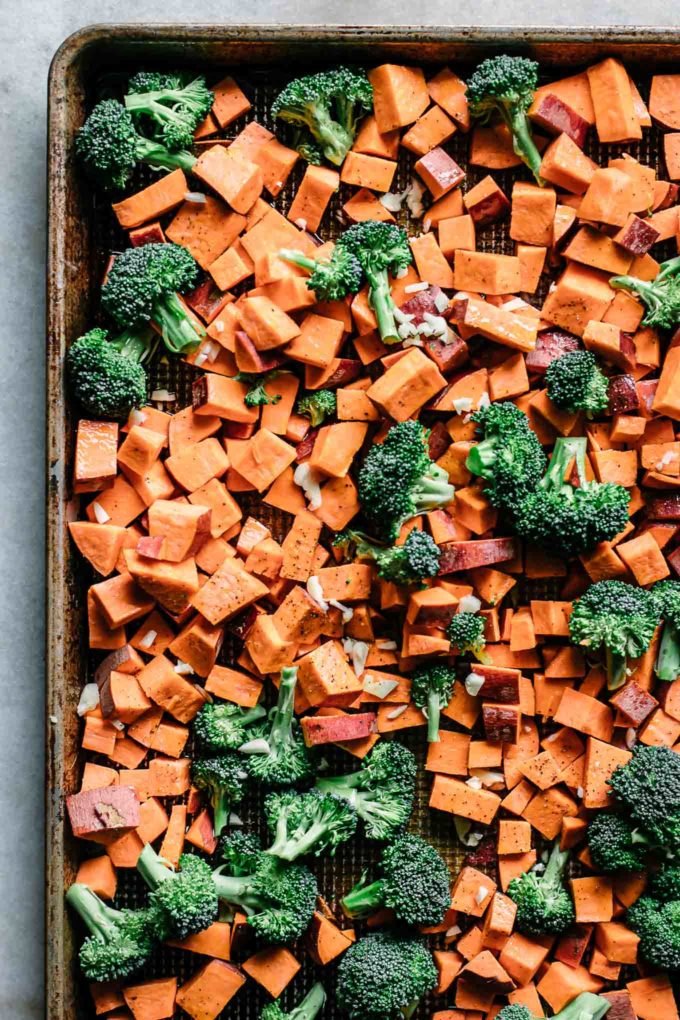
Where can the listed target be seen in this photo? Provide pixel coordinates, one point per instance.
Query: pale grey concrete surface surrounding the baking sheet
(31, 31)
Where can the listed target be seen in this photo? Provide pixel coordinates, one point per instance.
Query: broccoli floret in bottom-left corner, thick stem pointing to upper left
(121, 941)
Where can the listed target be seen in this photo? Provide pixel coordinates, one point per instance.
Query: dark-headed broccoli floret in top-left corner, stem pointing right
(111, 148)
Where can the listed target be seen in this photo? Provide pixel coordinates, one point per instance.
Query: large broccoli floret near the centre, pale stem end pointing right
(399, 481)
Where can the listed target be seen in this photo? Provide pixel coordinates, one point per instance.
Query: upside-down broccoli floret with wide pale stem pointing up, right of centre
(569, 521)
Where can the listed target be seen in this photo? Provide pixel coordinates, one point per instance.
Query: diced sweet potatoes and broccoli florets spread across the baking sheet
(482, 497)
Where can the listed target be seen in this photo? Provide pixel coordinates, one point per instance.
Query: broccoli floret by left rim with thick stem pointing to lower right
(143, 286)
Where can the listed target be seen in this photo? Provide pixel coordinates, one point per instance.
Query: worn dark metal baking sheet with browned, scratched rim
(81, 232)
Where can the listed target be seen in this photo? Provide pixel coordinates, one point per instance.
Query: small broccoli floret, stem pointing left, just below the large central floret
(411, 564)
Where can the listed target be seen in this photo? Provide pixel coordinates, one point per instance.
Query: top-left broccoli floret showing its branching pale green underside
(172, 107)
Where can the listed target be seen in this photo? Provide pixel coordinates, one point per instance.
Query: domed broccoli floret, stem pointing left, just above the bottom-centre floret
(414, 882)
